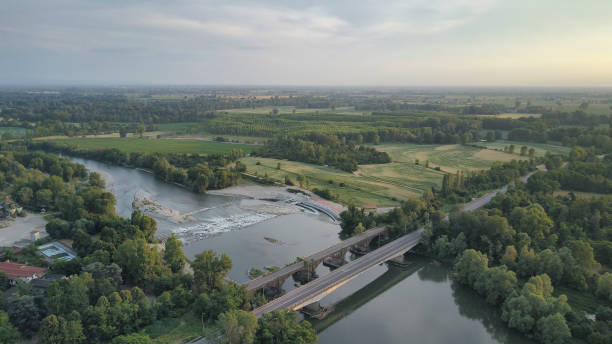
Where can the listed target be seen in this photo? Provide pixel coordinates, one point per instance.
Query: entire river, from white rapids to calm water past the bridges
(417, 304)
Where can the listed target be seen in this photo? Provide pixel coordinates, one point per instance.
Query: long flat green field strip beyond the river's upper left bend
(130, 145)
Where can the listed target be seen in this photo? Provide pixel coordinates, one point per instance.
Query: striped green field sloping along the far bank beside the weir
(360, 190)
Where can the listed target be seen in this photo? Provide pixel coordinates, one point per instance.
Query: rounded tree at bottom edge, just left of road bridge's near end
(236, 327)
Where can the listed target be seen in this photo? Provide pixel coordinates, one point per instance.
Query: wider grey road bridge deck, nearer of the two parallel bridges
(315, 288)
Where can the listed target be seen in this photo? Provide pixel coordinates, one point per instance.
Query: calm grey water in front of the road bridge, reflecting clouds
(401, 306)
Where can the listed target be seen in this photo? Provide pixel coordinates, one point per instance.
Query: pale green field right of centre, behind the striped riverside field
(450, 158)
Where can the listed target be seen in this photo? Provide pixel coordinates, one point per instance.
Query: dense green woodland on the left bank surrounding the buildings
(120, 282)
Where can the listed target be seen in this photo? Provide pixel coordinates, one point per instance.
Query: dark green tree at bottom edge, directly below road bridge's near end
(284, 327)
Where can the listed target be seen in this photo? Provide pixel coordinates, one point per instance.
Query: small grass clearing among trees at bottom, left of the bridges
(177, 330)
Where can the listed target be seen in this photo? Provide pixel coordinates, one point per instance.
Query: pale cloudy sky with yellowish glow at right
(307, 42)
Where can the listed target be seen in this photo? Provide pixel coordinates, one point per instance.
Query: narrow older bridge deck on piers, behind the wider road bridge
(295, 267)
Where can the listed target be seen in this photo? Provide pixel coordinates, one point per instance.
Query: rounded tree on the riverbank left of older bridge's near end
(209, 269)
